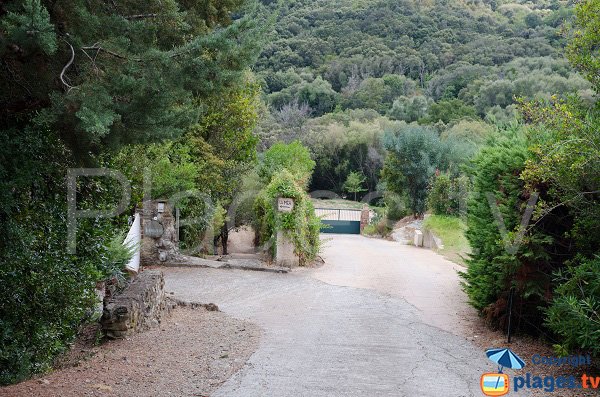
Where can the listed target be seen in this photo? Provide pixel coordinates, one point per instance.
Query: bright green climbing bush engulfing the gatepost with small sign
(301, 223)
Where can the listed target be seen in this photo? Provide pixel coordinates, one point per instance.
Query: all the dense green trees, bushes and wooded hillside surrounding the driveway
(433, 104)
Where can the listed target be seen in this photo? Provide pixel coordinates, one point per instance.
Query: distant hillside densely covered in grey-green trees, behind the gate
(480, 52)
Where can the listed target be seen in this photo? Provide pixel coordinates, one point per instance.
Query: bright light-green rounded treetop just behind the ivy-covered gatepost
(293, 157)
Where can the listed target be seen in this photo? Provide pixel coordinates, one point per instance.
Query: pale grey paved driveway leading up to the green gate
(366, 324)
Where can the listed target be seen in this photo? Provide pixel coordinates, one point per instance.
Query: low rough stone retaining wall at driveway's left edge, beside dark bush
(139, 307)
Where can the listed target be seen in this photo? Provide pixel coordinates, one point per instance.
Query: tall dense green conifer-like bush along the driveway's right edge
(492, 268)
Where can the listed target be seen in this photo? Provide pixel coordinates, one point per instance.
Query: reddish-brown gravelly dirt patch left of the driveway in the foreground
(190, 354)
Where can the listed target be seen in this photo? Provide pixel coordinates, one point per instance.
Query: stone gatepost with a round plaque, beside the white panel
(160, 240)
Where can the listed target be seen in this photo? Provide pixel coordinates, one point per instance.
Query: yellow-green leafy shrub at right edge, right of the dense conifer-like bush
(566, 163)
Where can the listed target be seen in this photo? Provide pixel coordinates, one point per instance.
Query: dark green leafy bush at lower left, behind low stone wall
(46, 292)
